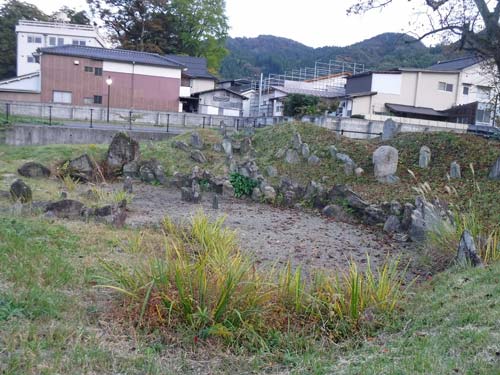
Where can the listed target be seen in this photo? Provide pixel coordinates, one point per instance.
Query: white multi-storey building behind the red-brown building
(32, 35)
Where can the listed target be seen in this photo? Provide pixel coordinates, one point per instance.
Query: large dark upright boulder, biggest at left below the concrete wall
(122, 150)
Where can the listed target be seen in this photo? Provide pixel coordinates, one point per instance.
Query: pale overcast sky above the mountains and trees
(316, 23)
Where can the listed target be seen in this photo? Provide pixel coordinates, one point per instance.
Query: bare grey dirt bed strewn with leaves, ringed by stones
(272, 234)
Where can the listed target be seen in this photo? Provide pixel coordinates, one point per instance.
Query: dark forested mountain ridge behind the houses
(248, 57)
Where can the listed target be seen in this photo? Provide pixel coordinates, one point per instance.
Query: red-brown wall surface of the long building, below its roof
(130, 91)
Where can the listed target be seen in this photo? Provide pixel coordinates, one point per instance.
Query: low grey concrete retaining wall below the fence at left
(23, 135)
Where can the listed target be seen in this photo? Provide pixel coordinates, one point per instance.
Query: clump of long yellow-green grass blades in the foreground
(205, 283)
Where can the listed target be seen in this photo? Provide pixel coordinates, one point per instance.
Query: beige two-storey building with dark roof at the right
(458, 90)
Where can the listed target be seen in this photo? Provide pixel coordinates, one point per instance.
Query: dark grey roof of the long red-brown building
(121, 55)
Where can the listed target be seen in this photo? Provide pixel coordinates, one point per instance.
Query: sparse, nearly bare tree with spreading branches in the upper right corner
(474, 24)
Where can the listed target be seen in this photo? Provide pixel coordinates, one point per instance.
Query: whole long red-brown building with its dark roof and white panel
(79, 76)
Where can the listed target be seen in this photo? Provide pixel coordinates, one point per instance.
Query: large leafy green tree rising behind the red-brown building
(190, 27)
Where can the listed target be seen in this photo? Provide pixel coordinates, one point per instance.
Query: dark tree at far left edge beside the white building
(10, 13)
